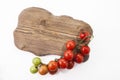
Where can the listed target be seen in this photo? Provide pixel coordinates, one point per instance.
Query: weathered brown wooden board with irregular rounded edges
(42, 33)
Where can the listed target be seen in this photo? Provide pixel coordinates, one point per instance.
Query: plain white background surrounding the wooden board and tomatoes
(102, 15)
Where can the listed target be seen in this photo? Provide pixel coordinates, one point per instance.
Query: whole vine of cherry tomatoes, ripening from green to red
(74, 53)
